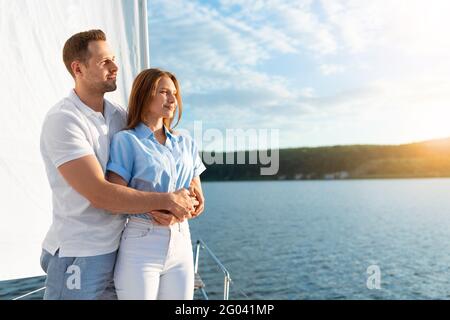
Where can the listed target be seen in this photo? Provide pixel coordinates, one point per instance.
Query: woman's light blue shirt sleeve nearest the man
(121, 156)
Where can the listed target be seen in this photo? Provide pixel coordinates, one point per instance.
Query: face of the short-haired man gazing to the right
(100, 71)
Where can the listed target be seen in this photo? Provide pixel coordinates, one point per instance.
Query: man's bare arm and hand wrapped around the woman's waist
(85, 175)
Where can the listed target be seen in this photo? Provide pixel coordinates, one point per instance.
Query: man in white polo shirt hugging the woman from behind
(80, 248)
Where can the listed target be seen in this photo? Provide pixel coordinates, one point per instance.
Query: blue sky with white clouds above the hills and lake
(322, 72)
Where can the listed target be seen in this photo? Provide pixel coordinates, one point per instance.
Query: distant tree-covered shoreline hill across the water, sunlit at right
(424, 160)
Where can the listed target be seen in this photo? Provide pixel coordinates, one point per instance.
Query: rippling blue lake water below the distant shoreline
(316, 239)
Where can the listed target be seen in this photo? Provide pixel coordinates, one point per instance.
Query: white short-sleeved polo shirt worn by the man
(72, 130)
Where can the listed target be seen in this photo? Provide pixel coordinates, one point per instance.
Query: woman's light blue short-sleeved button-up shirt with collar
(147, 165)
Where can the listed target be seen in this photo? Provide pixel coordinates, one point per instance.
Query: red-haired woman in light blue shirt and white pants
(155, 255)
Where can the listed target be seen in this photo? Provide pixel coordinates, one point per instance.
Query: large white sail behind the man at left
(32, 79)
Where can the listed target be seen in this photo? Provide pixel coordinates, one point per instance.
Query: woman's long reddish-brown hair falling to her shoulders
(142, 93)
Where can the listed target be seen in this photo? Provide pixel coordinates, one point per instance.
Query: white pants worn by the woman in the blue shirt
(155, 262)
